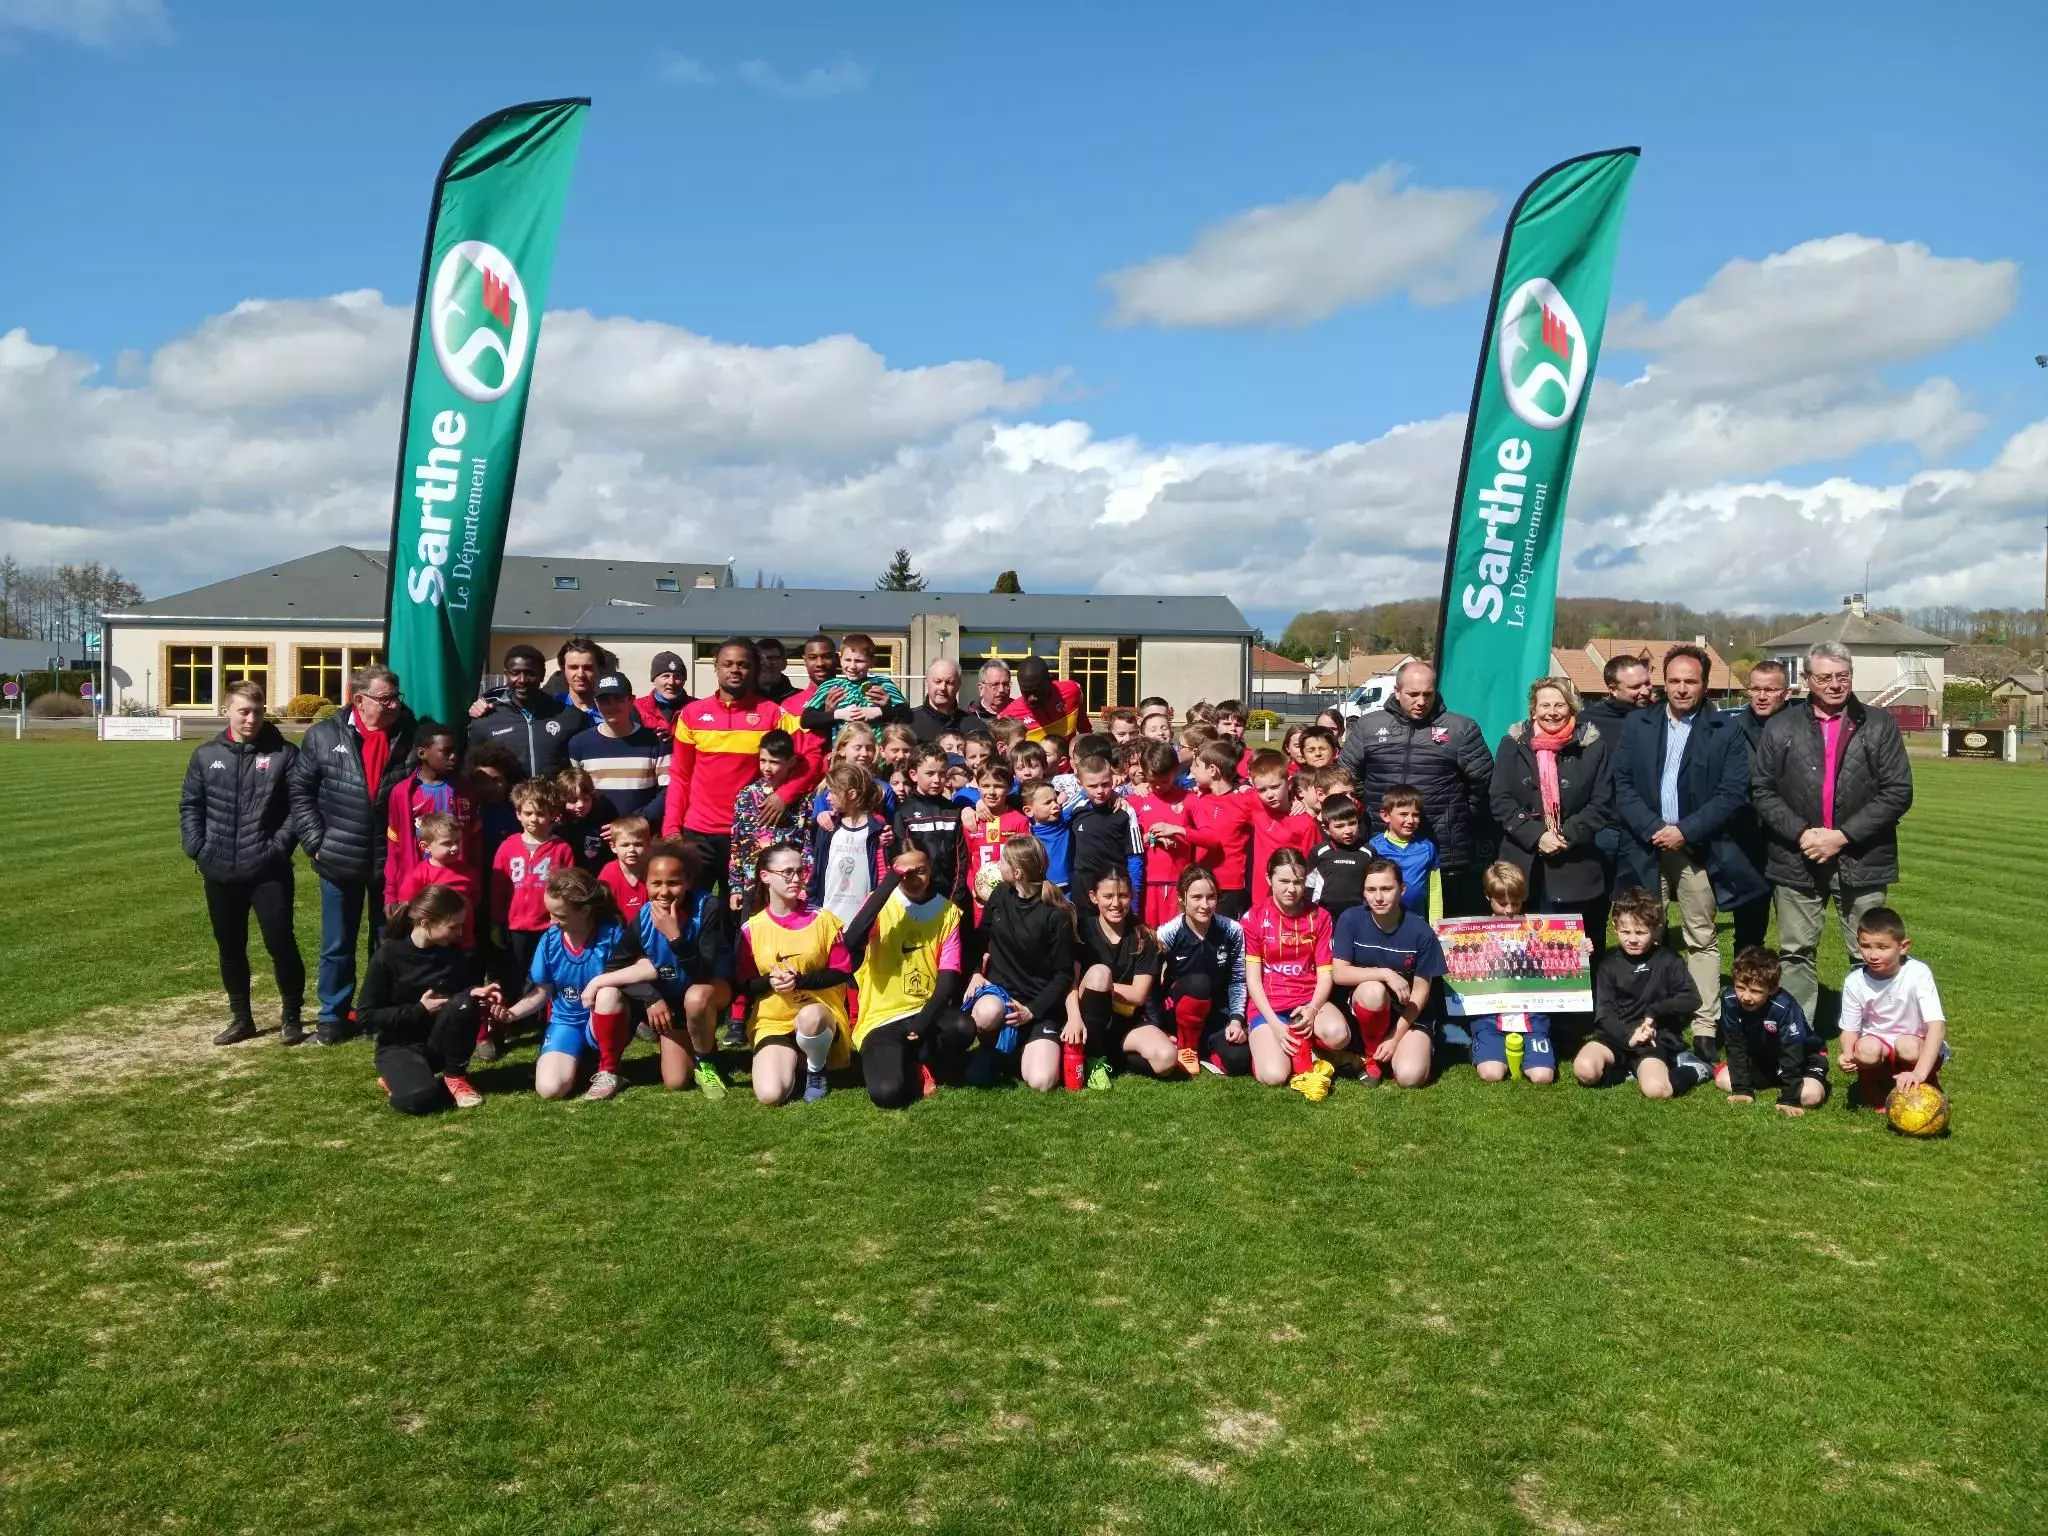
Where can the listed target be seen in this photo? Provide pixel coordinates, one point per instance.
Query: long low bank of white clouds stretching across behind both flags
(273, 429)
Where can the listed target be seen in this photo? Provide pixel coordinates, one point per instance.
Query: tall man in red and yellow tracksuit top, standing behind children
(718, 755)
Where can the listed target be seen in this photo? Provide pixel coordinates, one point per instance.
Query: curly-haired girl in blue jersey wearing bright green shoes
(679, 931)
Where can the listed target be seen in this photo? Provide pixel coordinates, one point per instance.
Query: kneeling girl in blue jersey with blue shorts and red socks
(581, 972)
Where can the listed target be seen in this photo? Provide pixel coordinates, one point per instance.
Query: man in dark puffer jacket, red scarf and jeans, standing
(341, 798)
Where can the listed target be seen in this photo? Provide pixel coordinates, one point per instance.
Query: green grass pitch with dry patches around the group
(237, 1293)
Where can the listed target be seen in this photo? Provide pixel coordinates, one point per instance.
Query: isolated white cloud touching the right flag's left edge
(1308, 259)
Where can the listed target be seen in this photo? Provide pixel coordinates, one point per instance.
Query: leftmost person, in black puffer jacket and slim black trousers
(234, 822)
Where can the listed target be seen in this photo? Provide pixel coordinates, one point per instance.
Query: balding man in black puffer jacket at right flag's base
(1414, 740)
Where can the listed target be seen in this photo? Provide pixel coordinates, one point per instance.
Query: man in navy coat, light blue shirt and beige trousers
(1680, 790)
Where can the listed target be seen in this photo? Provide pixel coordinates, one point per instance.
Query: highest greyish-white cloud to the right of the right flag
(1846, 304)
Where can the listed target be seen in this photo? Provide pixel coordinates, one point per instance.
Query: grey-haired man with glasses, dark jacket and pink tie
(1832, 787)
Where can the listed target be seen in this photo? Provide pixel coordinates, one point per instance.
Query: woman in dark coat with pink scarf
(1553, 792)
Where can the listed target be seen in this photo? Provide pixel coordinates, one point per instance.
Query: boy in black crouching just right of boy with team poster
(1641, 1002)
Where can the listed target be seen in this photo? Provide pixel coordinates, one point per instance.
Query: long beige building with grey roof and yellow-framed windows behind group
(306, 626)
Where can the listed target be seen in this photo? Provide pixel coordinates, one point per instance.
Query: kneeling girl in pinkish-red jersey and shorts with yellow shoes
(1289, 980)
